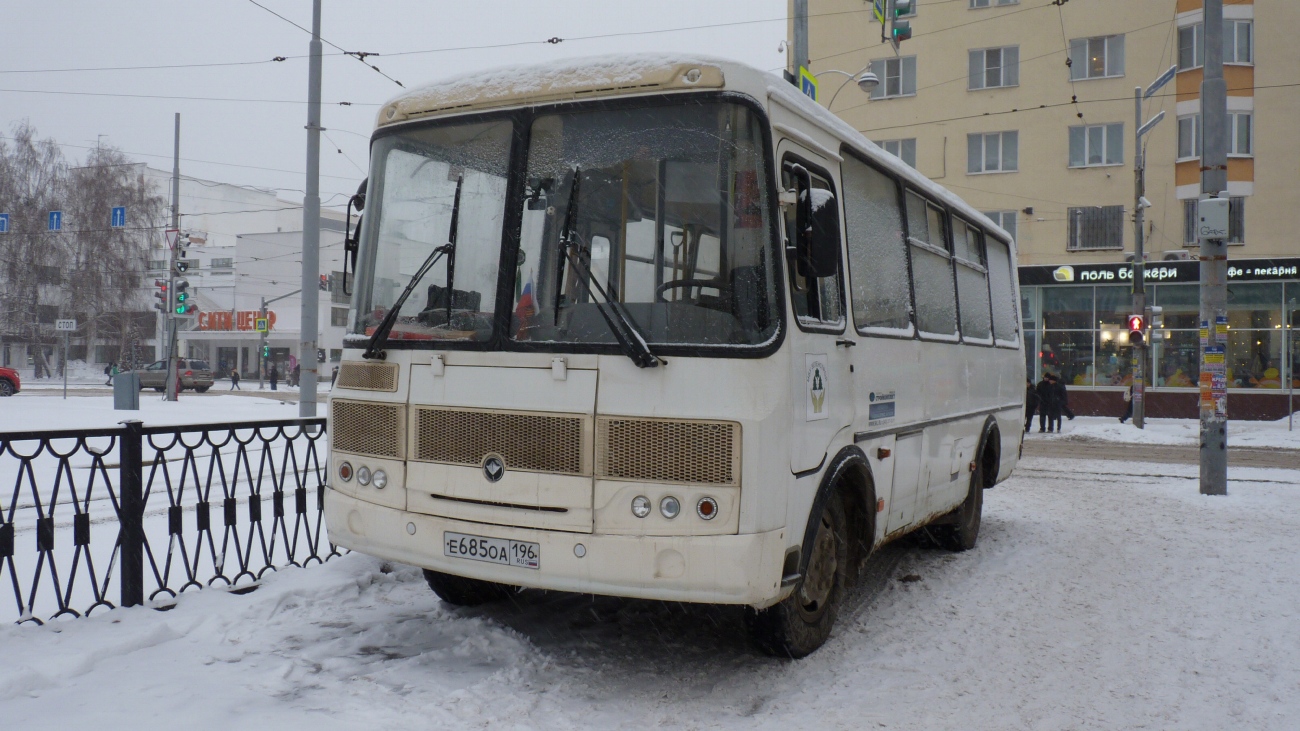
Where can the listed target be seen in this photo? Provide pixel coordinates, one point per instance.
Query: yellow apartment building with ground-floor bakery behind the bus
(1026, 110)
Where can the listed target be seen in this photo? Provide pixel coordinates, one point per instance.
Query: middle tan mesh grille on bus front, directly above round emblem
(538, 443)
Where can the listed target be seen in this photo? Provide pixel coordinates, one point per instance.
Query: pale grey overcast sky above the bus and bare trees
(263, 144)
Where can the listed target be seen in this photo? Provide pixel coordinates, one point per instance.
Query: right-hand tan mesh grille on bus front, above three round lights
(668, 451)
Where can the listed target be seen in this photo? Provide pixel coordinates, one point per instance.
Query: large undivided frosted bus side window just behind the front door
(878, 250)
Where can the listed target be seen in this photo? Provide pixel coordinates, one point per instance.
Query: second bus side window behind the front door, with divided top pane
(931, 269)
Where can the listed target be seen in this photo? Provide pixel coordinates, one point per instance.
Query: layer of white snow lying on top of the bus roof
(592, 72)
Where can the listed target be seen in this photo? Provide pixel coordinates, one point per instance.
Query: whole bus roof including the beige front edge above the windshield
(571, 80)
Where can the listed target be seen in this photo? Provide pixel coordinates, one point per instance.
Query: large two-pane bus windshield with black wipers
(660, 211)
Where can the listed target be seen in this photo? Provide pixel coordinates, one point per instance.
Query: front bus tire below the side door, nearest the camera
(803, 622)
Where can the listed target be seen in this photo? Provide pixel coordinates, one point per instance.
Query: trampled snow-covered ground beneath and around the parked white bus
(1100, 596)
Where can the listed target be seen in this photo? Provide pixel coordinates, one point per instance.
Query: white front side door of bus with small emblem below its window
(822, 383)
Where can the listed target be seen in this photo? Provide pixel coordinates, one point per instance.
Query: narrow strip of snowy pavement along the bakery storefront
(1182, 432)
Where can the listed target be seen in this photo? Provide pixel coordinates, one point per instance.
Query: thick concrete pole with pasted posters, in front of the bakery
(1214, 257)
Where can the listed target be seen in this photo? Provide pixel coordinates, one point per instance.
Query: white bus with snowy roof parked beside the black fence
(664, 328)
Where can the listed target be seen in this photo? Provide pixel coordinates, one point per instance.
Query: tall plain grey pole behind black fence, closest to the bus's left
(309, 332)
